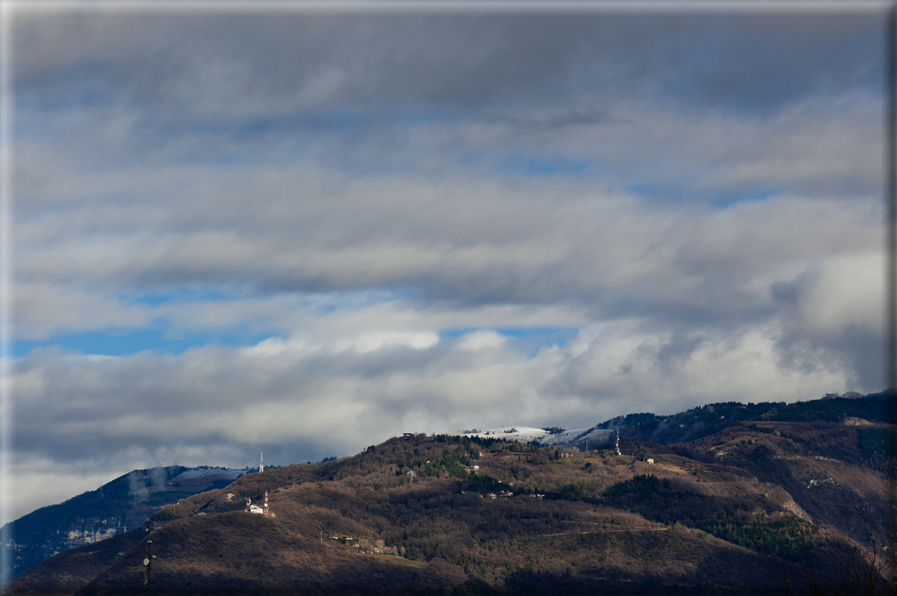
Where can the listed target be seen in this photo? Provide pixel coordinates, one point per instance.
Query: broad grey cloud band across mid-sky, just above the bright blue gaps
(468, 242)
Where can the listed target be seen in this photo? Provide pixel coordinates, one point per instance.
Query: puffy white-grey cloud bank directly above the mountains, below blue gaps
(281, 395)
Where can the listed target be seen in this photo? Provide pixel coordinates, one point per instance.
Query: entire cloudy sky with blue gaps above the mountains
(303, 232)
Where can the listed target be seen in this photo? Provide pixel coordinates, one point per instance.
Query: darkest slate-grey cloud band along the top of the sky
(209, 66)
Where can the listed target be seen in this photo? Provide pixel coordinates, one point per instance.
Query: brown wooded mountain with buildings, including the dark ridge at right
(485, 515)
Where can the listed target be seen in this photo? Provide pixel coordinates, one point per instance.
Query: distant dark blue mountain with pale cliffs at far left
(116, 507)
